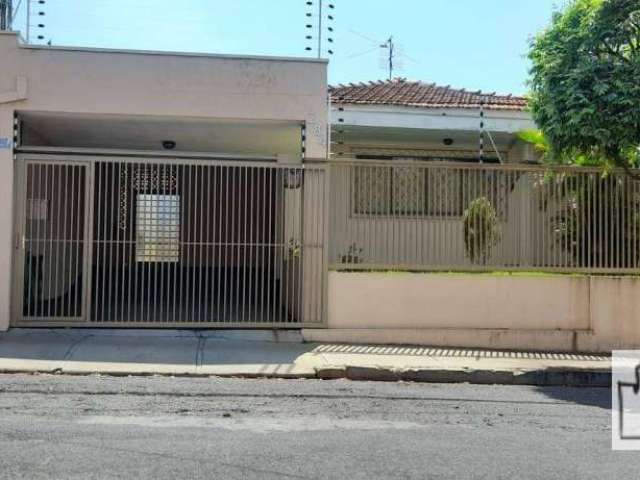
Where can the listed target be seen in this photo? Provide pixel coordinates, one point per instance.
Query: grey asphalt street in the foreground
(168, 428)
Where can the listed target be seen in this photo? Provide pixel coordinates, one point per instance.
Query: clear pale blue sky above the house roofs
(476, 44)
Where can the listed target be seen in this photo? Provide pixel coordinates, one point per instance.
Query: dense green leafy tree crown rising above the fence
(585, 88)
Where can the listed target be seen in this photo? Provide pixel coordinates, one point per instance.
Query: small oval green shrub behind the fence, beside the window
(481, 230)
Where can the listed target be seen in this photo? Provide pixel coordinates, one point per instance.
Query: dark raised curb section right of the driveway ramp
(551, 376)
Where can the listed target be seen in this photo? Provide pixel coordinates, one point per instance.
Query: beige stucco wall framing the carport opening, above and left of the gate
(106, 82)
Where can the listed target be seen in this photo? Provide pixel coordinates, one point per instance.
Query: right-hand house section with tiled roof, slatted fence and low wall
(409, 174)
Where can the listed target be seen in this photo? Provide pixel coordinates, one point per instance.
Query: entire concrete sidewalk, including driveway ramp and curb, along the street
(281, 354)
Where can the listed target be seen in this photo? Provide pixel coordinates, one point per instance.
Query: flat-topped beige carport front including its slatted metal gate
(158, 189)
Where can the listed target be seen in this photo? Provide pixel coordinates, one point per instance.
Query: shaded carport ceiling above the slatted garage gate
(43, 129)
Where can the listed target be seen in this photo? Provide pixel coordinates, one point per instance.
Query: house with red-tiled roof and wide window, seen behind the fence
(427, 131)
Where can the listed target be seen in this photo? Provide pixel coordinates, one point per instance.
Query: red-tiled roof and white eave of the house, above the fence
(401, 119)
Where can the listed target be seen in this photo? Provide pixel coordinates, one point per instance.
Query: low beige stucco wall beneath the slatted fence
(594, 314)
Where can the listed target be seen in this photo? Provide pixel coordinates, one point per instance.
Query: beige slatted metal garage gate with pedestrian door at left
(164, 242)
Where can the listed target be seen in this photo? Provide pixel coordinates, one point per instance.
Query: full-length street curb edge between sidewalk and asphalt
(550, 376)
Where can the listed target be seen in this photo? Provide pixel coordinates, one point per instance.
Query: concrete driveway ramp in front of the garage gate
(178, 352)
